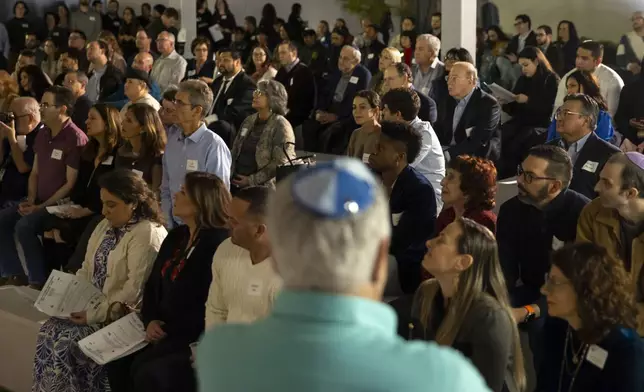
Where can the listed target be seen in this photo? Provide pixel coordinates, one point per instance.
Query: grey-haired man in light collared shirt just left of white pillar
(428, 68)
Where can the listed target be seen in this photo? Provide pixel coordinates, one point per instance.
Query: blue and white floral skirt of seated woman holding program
(60, 365)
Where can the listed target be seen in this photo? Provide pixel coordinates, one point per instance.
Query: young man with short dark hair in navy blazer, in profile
(411, 199)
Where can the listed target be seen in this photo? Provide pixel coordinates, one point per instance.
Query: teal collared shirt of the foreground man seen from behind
(323, 342)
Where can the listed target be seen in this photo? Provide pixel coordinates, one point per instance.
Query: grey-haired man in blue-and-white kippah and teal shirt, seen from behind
(329, 330)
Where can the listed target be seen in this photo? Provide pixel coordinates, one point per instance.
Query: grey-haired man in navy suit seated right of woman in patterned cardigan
(333, 115)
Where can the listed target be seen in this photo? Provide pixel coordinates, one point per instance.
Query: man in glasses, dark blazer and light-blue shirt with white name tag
(576, 121)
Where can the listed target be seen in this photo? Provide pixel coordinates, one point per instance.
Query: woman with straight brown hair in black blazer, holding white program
(175, 294)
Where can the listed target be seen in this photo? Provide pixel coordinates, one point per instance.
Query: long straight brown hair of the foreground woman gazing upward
(484, 277)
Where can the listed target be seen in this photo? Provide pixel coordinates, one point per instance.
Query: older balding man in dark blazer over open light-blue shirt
(470, 123)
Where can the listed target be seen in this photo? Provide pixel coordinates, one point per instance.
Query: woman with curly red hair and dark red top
(468, 190)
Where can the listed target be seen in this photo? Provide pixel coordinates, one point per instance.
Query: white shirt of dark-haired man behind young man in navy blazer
(430, 161)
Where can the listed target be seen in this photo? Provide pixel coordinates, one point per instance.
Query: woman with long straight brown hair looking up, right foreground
(466, 305)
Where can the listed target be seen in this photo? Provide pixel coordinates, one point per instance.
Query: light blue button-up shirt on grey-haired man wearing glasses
(202, 151)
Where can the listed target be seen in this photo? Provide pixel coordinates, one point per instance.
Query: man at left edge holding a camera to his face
(17, 138)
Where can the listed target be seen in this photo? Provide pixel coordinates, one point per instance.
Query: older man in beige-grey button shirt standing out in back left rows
(170, 67)
